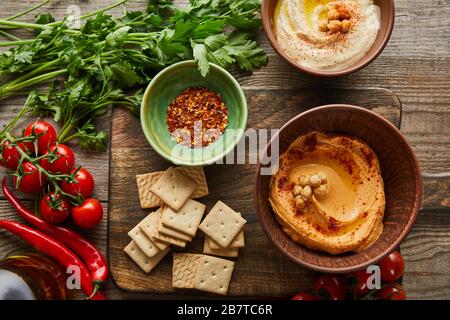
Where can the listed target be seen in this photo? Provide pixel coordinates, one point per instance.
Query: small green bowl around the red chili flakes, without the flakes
(166, 86)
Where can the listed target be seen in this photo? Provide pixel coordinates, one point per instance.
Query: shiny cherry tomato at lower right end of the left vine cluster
(88, 214)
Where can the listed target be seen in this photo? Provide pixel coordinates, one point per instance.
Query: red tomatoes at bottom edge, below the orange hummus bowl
(354, 286)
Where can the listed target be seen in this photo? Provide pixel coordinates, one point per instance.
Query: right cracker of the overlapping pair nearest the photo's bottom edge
(213, 275)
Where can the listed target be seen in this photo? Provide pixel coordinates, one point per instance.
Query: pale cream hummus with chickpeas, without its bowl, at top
(326, 35)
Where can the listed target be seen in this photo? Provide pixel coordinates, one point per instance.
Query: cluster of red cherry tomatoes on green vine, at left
(55, 160)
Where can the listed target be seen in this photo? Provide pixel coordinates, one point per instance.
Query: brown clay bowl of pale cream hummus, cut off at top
(328, 38)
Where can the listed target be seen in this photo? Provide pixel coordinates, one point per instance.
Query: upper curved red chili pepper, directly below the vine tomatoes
(87, 251)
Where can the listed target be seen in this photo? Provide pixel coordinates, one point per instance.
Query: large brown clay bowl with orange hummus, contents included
(345, 192)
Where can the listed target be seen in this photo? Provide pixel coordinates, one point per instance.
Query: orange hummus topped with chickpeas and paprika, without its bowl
(328, 193)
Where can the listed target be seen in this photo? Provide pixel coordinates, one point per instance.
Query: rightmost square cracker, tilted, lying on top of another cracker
(222, 224)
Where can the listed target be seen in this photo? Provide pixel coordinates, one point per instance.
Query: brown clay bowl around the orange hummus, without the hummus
(400, 173)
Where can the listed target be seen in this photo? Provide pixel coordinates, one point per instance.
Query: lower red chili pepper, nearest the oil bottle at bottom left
(56, 251)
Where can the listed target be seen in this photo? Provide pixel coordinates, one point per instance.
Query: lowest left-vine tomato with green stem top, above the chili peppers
(54, 209)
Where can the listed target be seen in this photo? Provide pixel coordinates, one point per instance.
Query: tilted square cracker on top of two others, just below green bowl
(174, 188)
